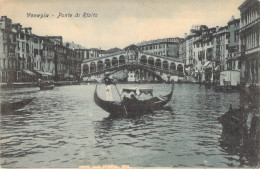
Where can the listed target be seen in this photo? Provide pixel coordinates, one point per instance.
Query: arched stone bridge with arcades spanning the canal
(133, 65)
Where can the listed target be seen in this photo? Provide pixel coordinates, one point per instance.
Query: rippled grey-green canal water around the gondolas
(64, 128)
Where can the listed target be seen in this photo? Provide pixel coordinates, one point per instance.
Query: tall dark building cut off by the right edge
(250, 40)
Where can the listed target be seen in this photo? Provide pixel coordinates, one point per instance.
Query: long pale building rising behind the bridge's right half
(168, 47)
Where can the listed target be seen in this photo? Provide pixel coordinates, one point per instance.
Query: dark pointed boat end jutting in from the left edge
(9, 107)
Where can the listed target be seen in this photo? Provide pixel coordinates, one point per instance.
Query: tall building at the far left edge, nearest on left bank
(7, 51)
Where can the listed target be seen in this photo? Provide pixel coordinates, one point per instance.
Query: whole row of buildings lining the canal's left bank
(26, 57)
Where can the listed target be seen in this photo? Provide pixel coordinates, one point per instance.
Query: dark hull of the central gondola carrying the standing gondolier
(132, 107)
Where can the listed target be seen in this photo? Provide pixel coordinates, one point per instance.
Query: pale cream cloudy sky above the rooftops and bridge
(118, 23)
